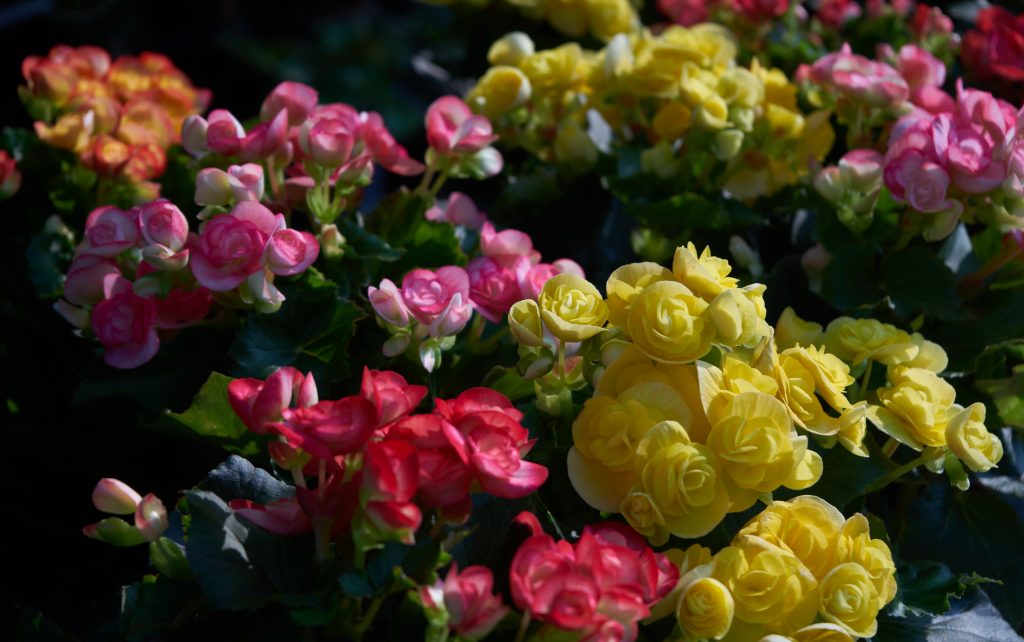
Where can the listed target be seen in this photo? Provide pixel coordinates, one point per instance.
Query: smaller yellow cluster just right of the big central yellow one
(916, 407)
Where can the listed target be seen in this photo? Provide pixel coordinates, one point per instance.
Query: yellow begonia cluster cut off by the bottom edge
(798, 572)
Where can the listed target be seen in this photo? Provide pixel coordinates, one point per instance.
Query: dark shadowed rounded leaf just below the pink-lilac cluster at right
(918, 281)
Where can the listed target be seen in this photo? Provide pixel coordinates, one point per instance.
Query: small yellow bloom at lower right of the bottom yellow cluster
(847, 597)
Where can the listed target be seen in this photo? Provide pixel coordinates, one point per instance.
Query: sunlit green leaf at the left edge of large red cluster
(212, 418)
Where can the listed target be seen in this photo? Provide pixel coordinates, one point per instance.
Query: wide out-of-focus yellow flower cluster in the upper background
(681, 91)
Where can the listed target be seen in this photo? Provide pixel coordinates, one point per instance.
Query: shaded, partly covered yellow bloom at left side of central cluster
(603, 462)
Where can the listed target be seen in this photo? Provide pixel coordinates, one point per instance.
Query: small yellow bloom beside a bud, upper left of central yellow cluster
(572, 308)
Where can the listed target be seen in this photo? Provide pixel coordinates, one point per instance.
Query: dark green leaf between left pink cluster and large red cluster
(311, 332)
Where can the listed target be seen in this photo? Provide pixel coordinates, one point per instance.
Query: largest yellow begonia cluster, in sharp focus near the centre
(672, 442)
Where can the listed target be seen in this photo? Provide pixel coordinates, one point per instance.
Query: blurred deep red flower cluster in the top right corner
(994, 53)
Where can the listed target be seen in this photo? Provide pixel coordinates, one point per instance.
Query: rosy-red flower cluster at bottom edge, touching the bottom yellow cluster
(600, 587)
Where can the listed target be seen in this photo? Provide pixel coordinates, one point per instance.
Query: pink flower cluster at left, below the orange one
(131, 271)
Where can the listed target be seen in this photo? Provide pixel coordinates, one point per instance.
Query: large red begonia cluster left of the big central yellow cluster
(377, 464)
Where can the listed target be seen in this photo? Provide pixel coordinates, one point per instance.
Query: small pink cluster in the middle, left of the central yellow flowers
(430, 308)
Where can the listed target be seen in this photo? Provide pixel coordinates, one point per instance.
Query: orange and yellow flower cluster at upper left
(119, 117)
